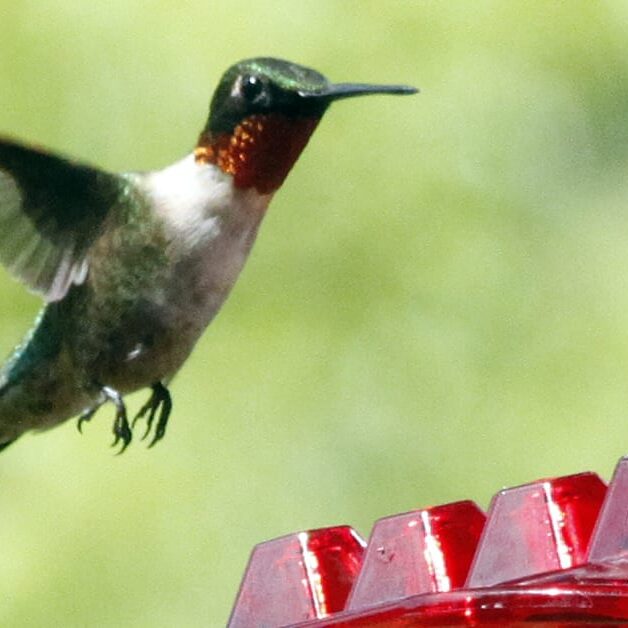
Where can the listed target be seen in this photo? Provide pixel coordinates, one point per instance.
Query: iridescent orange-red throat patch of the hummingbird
(260, 151)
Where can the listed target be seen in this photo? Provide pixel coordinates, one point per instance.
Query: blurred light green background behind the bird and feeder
(436, 307)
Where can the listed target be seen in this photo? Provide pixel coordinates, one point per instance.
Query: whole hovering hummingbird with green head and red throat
(132, 267)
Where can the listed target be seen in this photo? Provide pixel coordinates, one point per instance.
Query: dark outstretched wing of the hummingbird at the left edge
(51, 212)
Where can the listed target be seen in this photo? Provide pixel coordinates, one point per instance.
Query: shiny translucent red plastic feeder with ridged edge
(553, 553)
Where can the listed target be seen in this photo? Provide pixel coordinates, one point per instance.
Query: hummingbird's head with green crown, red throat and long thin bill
(262, 115)
